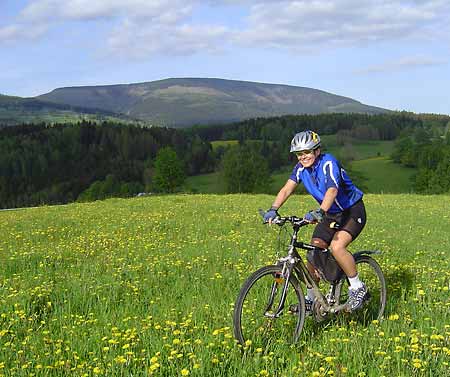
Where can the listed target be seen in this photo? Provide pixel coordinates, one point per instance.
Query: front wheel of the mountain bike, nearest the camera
(261, 317)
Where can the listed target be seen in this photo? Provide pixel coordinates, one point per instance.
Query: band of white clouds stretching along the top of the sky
(143, 27)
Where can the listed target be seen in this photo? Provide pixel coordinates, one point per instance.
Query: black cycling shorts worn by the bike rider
(351, 220)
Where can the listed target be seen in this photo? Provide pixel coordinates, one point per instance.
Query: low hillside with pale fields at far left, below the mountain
(17, 110)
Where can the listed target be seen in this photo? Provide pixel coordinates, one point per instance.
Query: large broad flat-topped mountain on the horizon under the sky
(187, 101)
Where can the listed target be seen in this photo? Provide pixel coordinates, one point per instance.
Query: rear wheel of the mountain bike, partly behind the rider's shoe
(369, 272)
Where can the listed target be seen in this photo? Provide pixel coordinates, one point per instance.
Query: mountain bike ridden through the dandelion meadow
(271, 308)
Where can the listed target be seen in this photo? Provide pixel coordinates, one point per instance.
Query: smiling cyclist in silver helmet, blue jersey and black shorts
(339, 201)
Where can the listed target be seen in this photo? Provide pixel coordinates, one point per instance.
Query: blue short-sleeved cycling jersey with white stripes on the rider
(326, 172)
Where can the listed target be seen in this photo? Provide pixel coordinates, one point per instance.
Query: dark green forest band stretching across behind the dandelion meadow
(61, 163)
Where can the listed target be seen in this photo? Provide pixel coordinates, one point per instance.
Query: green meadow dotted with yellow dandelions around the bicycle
(146, 286)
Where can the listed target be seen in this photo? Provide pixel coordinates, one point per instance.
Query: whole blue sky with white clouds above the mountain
(393, 54)
